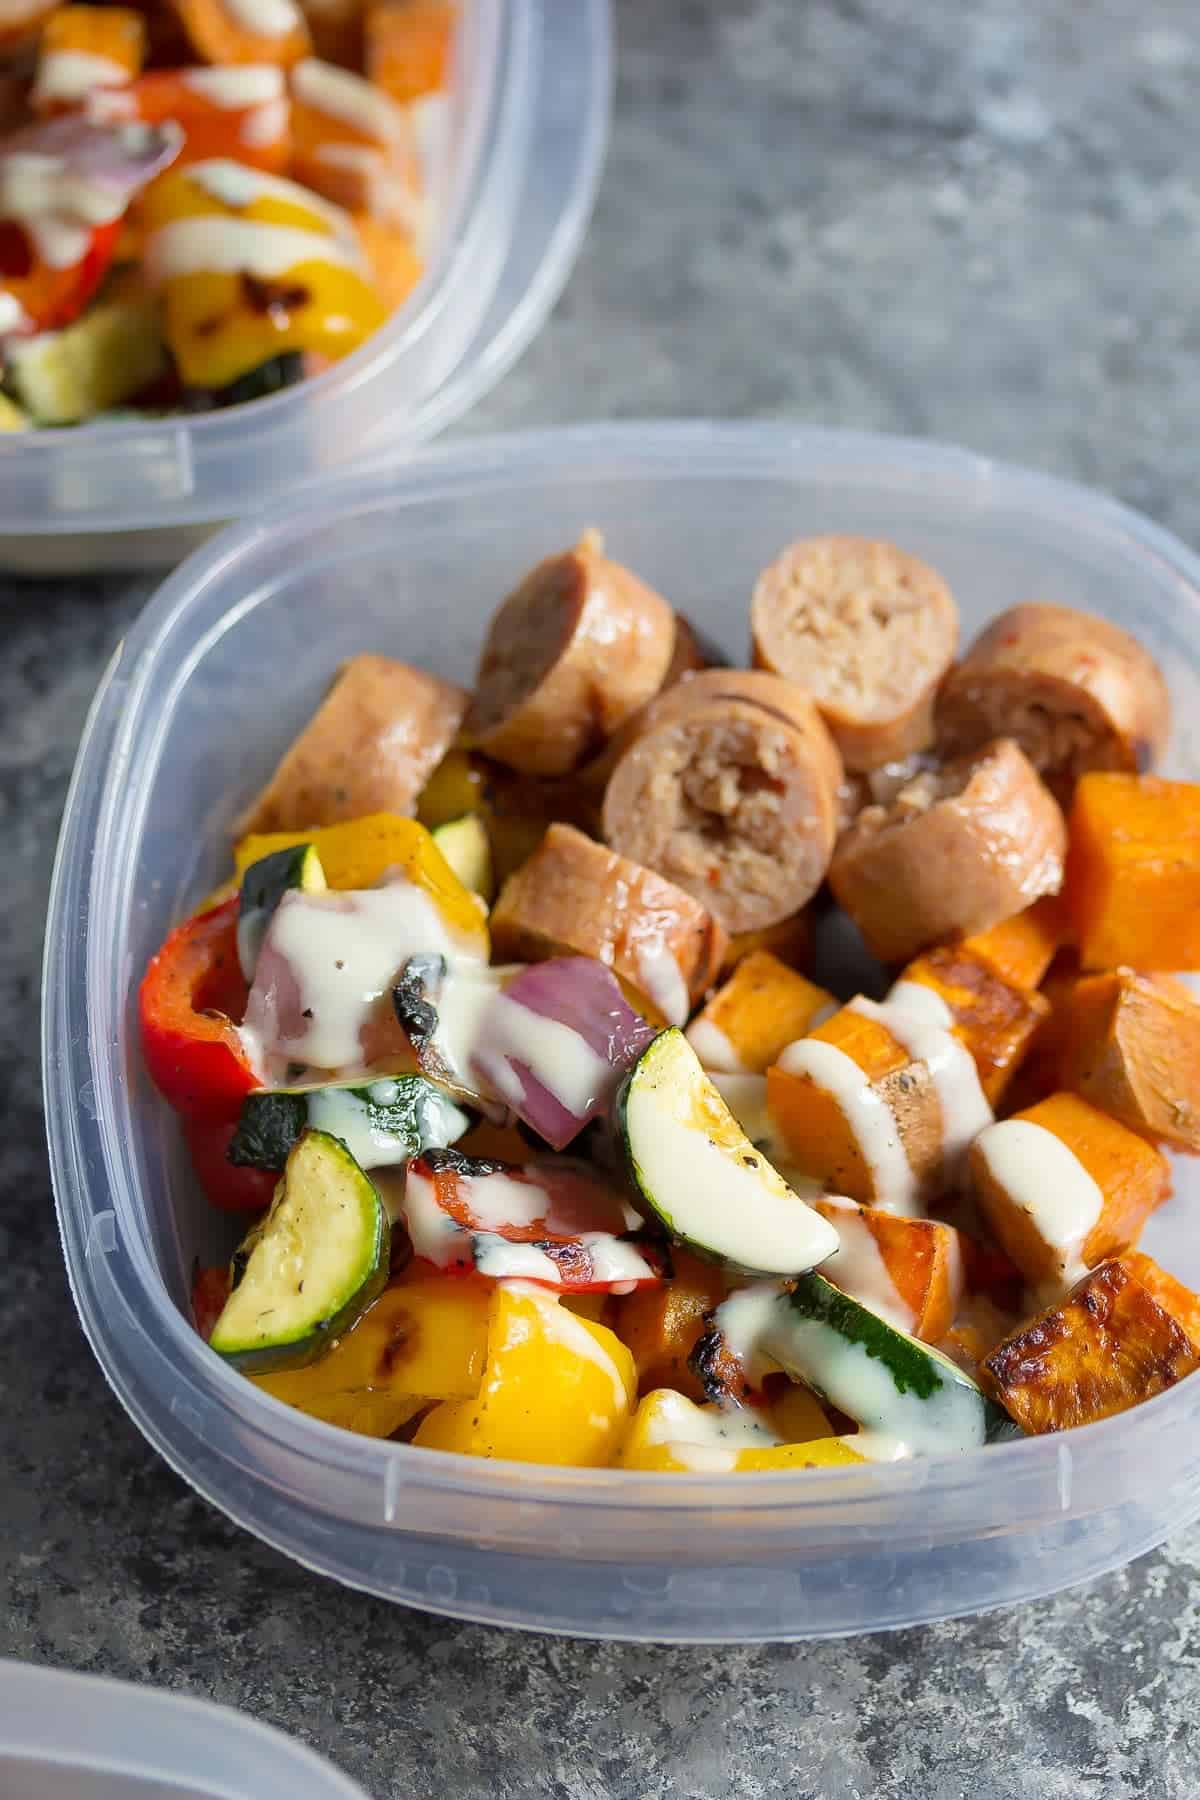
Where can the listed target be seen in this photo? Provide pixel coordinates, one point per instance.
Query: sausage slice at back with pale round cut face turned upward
(868, 633)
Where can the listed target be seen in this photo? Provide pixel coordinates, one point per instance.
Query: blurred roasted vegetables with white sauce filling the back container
(208, 201)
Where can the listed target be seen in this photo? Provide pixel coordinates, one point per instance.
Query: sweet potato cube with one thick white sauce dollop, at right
(1064, 1187)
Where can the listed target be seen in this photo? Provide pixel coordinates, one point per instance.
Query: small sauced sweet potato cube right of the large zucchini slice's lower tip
(908, 1270)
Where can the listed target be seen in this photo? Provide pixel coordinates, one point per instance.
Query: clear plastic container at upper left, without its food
(526, 141)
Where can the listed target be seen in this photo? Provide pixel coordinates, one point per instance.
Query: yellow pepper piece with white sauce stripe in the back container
(224, 323)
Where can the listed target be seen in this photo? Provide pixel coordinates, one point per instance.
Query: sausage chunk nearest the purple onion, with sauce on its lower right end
(577, 895)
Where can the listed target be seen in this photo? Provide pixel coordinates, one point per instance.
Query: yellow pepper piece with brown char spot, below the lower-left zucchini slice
(424, 1340)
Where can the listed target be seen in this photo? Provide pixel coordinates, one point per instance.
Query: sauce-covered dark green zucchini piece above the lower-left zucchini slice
(384, 1122)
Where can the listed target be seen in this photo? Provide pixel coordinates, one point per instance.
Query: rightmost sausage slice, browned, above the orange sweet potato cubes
(1073, 690)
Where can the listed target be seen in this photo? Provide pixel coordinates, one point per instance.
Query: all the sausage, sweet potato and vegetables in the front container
(510, 1039)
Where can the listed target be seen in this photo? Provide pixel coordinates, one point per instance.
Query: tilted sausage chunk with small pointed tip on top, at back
(571, 654)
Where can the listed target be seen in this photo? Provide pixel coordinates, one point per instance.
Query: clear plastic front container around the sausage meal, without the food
(215, 678)
